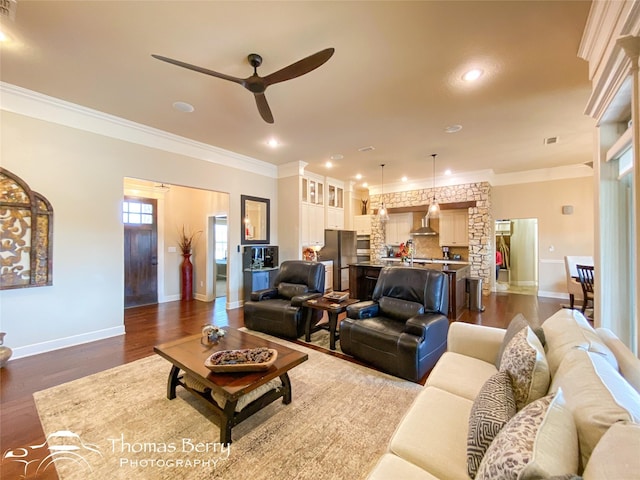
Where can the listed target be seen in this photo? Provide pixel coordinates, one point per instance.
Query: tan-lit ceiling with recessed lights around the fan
(394, 82)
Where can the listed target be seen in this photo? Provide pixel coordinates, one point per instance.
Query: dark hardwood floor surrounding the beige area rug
(146, 327)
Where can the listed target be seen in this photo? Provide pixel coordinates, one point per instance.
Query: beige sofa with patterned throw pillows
(574, 411)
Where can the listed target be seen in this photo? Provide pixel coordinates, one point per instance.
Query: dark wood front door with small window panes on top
(140, 251)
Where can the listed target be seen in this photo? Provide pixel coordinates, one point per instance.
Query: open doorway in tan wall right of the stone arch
(517, 242)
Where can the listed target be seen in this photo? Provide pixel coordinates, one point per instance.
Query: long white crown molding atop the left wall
(36, 105)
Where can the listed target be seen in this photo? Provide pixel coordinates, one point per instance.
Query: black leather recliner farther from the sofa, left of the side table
(278, 311)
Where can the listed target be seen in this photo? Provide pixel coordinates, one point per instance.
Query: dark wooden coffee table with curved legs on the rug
(188, 355)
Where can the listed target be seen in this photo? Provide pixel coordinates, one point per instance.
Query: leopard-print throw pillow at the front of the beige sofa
(540, 441)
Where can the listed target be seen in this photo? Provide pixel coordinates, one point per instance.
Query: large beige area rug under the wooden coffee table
(338, 424)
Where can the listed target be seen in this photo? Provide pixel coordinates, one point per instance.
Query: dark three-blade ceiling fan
(257, 84)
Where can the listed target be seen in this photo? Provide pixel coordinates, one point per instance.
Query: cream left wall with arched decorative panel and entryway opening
(81, 174)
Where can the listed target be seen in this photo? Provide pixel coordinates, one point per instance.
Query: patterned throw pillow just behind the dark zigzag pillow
(525, 361)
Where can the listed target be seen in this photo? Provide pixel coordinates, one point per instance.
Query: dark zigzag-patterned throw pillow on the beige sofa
(492, 409)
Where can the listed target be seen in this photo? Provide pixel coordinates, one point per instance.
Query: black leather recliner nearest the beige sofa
(403, 329)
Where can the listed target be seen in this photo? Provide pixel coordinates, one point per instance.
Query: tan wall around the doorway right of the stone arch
(559, 234)
